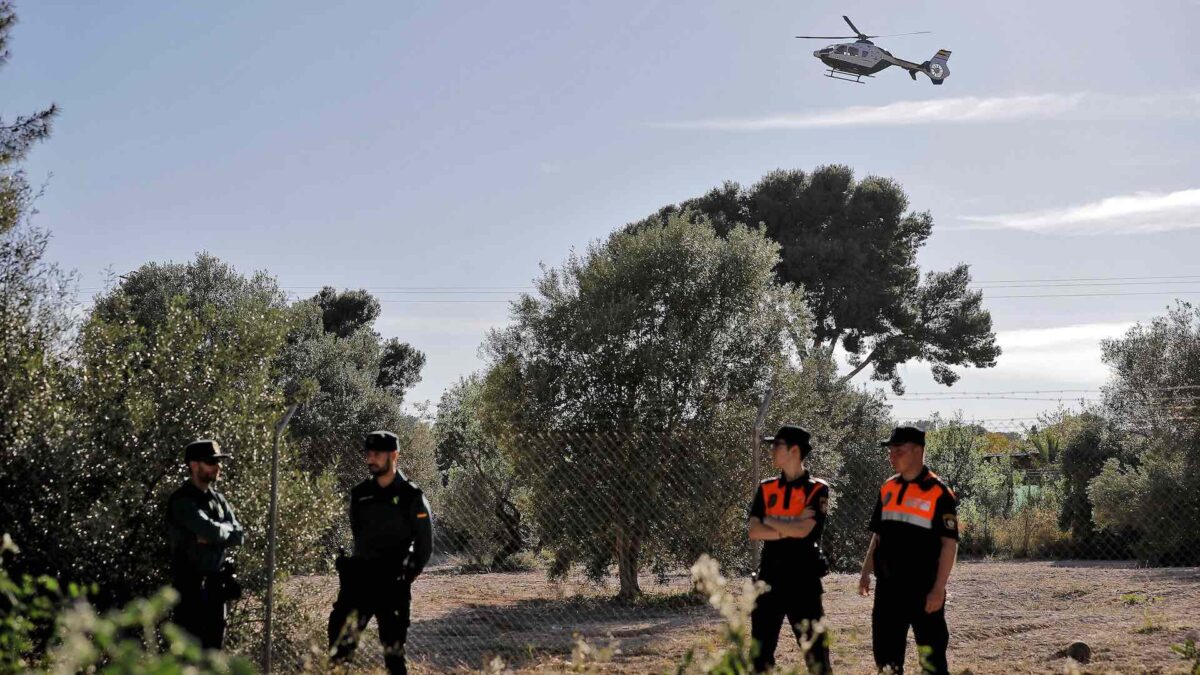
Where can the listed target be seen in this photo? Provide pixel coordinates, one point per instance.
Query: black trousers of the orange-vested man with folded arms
(799, 601)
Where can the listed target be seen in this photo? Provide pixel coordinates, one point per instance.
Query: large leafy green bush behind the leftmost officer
(87, 492)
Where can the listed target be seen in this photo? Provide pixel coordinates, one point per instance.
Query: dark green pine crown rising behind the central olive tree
(832, 229)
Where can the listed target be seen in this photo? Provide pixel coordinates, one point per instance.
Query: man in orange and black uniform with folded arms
(789, 515)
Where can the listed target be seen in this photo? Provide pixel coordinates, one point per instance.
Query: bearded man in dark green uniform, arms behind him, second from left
(393, 541)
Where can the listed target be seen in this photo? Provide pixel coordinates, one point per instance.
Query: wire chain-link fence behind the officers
(1072, 530)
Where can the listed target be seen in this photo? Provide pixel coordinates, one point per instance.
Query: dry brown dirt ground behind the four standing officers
(1005, 618)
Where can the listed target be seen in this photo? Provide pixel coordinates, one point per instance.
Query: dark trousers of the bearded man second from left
(389, 602)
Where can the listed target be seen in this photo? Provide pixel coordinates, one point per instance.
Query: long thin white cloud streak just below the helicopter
(967, 110)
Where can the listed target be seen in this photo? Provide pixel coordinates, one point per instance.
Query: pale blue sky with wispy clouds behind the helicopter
(394, 146)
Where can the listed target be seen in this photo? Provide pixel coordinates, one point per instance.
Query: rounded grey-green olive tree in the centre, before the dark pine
(626, 377)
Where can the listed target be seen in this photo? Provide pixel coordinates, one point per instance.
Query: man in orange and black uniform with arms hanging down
(913, 552)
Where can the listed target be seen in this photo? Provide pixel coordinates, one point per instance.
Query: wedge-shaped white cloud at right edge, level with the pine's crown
(1127, 214)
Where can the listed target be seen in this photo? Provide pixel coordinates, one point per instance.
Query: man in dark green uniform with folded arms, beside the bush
(202, 528)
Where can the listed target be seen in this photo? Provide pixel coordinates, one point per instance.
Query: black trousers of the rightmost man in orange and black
(897, 608)
